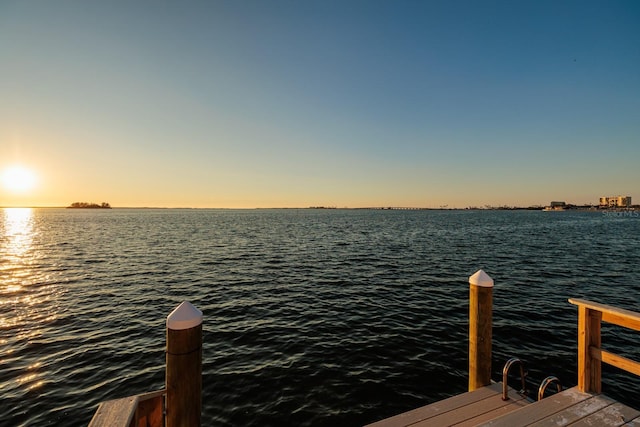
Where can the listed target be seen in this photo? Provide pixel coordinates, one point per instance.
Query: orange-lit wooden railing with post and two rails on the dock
(590, 352)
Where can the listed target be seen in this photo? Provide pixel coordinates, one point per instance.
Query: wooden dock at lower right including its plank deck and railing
(582, 405)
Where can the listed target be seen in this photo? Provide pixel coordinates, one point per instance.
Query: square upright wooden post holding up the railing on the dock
(589, 368)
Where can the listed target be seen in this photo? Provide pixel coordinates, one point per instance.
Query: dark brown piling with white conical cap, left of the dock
(184, 367)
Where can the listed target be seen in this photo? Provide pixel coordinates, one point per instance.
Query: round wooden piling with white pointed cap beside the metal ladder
(480, 329)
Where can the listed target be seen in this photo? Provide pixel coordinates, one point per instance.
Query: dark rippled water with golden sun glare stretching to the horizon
(312, 317)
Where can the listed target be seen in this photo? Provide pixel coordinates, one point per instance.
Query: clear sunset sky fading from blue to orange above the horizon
(350, 103)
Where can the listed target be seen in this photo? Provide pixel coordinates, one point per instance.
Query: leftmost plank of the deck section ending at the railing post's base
(541, 409)
